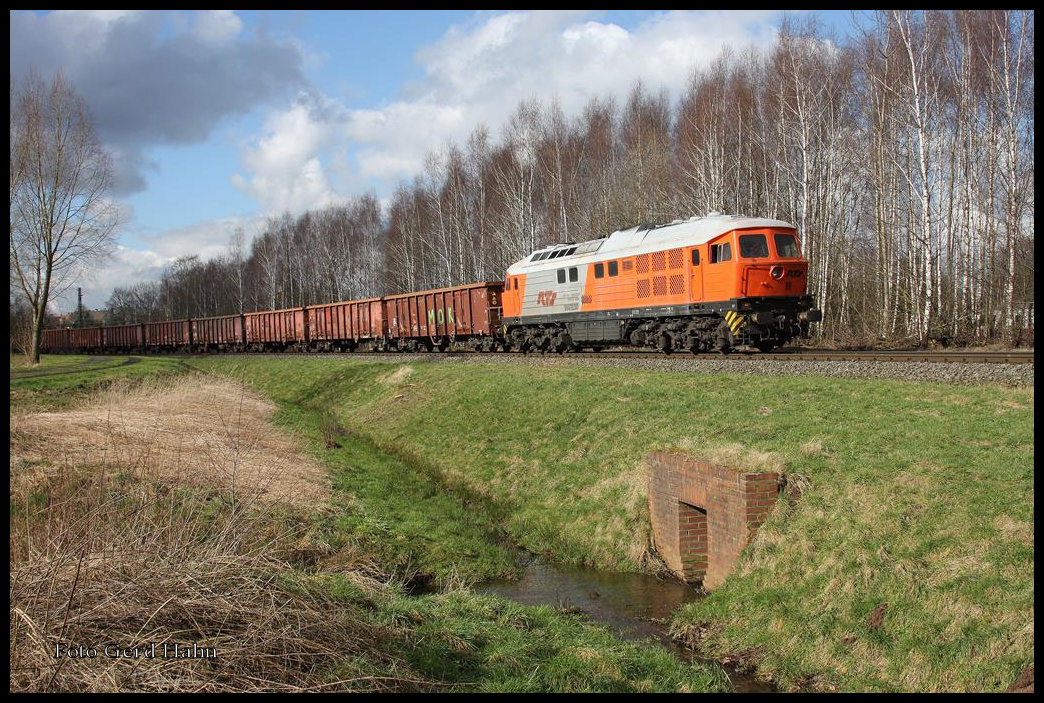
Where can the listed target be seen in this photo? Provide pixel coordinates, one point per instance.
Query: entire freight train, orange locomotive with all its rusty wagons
(711, 284)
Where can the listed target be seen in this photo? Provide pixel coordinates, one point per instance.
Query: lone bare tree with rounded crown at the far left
(61, 218)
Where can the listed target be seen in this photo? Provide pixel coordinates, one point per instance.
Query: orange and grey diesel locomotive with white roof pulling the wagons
(717, 283)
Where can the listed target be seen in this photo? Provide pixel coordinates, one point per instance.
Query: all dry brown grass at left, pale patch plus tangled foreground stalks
(125, 530)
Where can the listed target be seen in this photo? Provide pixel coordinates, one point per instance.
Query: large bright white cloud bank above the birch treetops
(478, 75)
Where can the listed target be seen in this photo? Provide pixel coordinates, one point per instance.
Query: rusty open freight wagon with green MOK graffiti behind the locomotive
(462, 317)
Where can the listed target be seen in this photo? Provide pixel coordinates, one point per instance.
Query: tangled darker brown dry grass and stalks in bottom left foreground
(138, 565)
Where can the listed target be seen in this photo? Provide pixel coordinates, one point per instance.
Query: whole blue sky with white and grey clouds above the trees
(218, 120)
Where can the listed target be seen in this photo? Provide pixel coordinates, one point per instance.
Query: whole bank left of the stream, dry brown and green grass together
(173, 511)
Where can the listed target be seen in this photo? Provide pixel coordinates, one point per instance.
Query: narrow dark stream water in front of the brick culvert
(636, 606)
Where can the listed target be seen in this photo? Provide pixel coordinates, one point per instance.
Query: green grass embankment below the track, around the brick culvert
(907, 565)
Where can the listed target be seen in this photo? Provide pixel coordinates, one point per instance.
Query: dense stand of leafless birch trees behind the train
(905, 154)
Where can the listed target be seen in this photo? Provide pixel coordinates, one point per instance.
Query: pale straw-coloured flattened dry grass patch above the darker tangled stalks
(195, 431)
